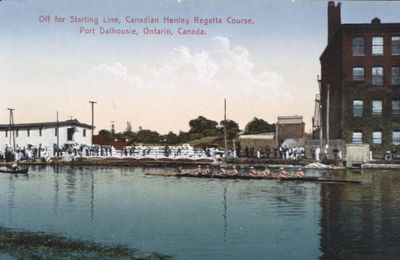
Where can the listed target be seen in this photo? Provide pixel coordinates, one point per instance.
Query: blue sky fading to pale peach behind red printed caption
(265, 70)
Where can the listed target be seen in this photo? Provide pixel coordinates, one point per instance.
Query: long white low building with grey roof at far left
(45, 134)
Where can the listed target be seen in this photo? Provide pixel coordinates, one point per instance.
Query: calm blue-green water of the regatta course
(209, 218)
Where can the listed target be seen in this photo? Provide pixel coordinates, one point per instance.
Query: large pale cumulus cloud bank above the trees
(189, 84)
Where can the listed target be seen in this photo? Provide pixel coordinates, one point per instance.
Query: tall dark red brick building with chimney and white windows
(360, 69)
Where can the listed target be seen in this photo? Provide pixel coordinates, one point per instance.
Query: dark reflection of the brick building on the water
(361, 221)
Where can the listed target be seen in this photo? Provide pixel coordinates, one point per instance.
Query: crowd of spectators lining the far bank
(34, 152)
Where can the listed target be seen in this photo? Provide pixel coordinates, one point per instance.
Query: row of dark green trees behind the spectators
(200, 128)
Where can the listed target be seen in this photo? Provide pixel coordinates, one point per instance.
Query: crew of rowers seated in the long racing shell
(235, 172)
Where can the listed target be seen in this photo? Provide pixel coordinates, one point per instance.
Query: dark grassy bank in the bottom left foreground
(37, 245)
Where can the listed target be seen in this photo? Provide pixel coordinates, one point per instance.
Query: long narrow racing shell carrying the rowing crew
(247, 177)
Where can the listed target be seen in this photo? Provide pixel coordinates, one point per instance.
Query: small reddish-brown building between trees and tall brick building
(290, 127)
